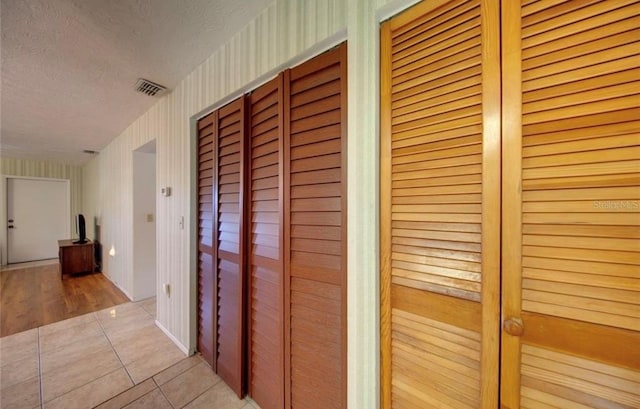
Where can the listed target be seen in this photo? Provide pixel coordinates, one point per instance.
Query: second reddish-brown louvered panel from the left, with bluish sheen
(230, 358)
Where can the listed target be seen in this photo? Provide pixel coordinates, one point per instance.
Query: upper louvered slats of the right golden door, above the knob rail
(609, 156)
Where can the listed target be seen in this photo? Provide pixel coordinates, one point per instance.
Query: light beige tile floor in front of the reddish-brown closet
(114, 358)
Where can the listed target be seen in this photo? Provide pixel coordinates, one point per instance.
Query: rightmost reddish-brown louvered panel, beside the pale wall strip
(315, 234)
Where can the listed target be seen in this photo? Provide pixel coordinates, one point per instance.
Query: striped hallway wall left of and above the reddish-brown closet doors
(283, 30)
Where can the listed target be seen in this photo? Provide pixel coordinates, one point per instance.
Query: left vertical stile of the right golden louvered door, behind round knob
(511, 198)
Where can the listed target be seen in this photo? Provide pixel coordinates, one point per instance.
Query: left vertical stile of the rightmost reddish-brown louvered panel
(286, 117)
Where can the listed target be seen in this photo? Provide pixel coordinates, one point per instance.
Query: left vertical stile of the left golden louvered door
(385, 215)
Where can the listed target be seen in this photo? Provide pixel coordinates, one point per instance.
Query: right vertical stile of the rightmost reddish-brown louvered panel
(343, 213)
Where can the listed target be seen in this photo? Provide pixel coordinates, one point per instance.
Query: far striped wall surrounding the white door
(42, 169)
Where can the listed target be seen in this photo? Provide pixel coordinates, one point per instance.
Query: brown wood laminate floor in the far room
(31, 297)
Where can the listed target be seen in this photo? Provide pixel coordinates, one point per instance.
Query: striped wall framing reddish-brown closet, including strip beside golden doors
(283, 34)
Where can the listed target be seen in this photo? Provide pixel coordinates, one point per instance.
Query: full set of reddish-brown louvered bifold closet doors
(272, 196)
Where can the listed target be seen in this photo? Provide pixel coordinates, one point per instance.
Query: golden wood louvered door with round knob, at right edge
(571, 198)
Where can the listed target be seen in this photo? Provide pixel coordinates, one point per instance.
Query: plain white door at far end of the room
(37, 217)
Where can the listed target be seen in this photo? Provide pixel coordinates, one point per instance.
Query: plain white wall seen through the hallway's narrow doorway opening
(144, 225)
